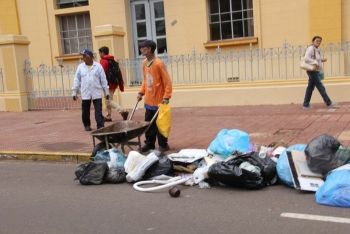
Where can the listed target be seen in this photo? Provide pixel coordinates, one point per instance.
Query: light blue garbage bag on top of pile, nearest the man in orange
(228, 141)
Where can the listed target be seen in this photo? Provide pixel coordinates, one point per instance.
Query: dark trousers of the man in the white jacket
(85, 106)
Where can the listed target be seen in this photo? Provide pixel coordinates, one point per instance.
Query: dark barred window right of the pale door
(229, 19)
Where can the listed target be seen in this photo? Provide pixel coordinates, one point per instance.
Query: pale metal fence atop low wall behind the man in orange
(244, 65)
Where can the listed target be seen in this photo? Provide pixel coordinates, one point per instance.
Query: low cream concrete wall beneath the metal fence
(256, 93)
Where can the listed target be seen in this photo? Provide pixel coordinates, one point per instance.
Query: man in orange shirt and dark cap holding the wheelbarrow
(156, 88)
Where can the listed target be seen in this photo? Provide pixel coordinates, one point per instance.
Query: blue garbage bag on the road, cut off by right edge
(336, 189)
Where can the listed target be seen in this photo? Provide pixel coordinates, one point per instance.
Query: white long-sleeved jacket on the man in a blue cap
(91, 81)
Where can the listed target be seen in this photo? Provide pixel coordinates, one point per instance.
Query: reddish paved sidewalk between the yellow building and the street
(61, 132)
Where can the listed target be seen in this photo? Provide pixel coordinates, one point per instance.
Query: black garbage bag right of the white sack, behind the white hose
(164, 166)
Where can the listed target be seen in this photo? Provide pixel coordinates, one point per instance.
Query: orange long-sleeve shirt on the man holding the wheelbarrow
(156, 83)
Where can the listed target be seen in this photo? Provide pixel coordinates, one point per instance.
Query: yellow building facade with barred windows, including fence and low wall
(218, 52)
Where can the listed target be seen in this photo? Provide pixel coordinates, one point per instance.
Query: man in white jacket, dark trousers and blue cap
(90, 79)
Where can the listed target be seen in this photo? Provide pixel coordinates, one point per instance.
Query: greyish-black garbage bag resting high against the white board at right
(321, 154)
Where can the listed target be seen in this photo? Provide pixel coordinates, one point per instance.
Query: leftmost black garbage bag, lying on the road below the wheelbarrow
(91, 173)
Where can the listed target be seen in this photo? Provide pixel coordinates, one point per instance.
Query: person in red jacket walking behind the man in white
(105, 56)
